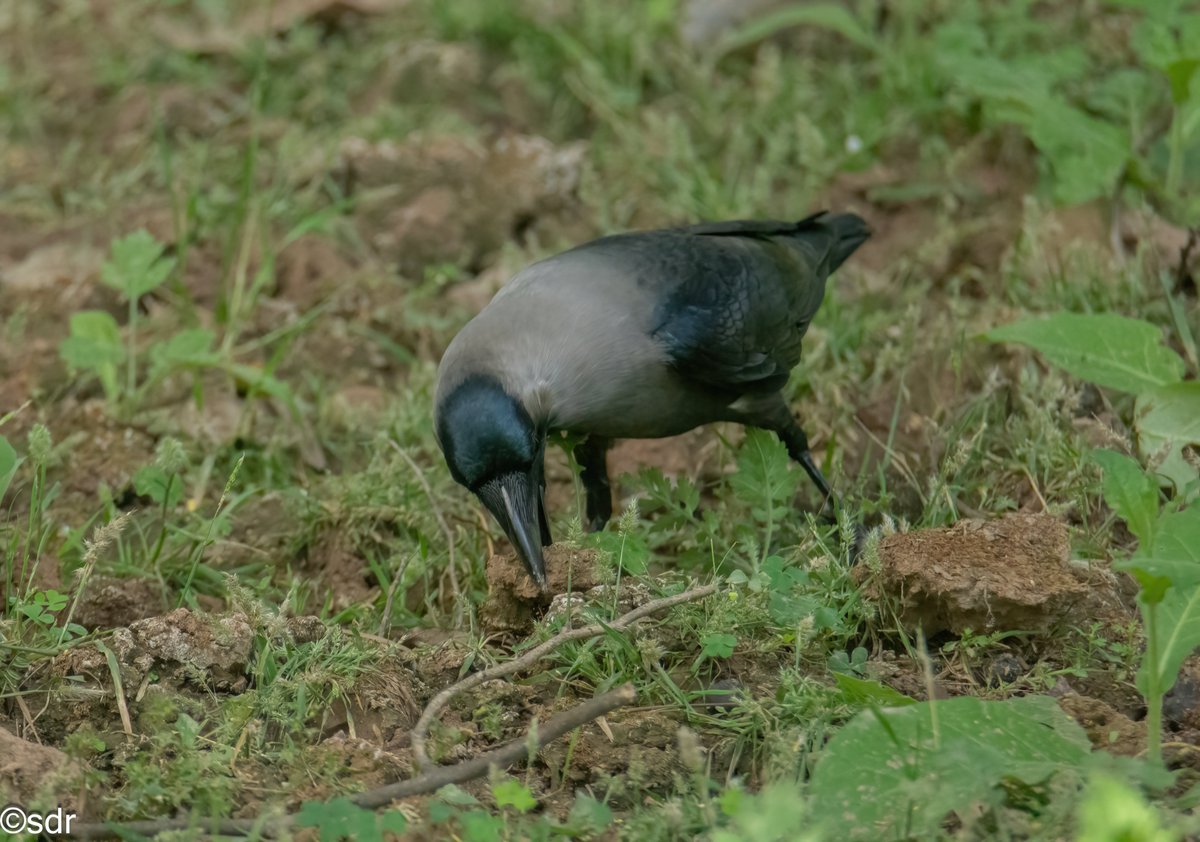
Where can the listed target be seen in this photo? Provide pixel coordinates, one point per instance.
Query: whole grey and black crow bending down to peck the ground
(640, 335)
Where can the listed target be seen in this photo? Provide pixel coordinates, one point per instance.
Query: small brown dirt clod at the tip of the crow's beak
(514, 600)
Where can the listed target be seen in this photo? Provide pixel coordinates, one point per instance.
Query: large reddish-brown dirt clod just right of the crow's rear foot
(979, 575)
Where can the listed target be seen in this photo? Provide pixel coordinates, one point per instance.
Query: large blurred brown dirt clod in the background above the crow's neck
(455, 200)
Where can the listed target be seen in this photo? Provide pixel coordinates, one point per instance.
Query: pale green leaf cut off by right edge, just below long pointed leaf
(1169, 418)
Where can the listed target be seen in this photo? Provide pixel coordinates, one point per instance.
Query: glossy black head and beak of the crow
(495, 449)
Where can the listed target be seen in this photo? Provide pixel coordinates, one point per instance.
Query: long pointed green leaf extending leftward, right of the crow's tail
(1103, 348)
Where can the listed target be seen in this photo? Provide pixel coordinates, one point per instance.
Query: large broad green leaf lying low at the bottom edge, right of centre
(898, 773)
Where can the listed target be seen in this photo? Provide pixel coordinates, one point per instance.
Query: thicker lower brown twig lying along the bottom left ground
(374, 799)
